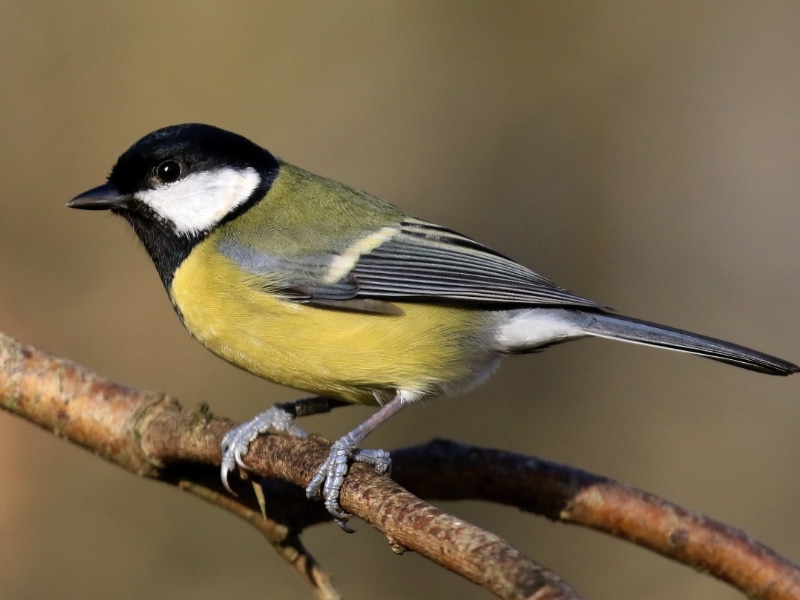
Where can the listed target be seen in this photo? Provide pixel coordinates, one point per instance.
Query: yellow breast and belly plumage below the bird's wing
(348, 355)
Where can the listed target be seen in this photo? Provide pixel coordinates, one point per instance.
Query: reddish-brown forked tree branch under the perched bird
(151, 435)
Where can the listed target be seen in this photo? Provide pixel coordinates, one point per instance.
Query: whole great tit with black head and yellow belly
(321, 287)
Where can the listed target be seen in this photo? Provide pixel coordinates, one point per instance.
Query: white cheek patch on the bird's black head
(199, 201)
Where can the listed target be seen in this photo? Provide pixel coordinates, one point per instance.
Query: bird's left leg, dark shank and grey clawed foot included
(279, 419)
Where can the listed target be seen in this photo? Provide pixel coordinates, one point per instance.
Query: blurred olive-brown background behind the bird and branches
(643, 154)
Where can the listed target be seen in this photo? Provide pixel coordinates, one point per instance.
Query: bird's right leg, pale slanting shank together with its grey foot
(330, 475)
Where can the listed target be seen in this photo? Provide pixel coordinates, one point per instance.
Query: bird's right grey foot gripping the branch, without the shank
(330, 476)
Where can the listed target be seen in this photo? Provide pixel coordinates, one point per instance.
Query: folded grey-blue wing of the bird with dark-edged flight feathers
(421, 262)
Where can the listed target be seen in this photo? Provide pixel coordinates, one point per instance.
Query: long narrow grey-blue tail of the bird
(651, 334)
